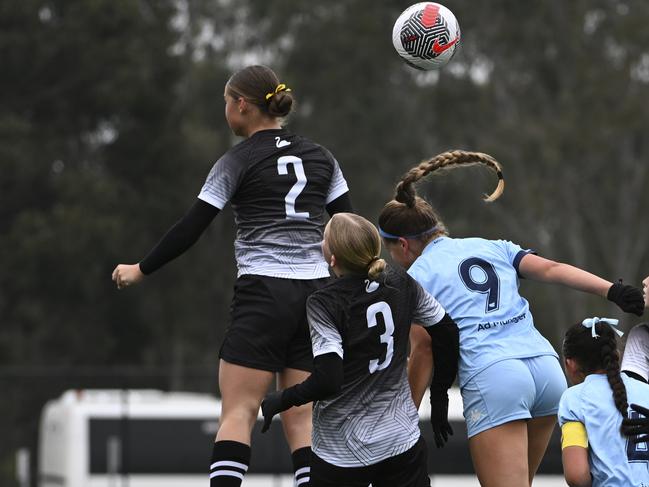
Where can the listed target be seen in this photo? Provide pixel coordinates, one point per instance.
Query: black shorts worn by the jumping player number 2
(268, 328)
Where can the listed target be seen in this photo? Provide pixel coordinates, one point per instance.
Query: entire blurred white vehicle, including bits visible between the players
(150, 438)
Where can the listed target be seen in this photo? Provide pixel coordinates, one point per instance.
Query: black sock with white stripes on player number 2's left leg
(230, 460)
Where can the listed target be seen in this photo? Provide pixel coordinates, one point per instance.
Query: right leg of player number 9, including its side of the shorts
(550, 384)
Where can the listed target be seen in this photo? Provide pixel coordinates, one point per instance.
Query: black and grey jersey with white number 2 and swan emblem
(278, 185)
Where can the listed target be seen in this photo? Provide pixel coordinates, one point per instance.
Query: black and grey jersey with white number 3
(367, 323)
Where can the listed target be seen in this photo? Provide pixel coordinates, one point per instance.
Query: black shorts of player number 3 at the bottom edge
(409, 469)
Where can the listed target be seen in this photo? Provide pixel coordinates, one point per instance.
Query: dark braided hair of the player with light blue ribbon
(597, 353)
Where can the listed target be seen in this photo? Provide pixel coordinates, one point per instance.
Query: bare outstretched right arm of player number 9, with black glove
(628, 298)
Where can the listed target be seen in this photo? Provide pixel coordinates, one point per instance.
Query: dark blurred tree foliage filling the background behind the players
(111, 115)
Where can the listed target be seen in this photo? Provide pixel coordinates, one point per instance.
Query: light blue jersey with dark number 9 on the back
(476, 281)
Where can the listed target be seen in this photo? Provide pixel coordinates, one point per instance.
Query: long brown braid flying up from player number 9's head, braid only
(405, 190)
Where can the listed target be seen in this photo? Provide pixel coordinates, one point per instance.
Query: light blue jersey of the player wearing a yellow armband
(614, 461)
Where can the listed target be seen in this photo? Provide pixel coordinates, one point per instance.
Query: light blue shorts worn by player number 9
(513, 389)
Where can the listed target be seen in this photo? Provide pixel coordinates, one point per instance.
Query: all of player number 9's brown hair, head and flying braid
(409, 215)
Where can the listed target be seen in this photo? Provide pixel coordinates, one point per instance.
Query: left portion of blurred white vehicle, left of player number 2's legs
(120, 438)
